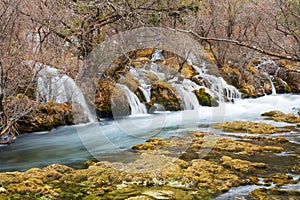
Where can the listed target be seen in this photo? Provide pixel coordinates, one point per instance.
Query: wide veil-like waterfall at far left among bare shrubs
(52, 86)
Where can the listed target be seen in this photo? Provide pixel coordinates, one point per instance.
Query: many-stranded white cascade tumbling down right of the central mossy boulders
(218, 85)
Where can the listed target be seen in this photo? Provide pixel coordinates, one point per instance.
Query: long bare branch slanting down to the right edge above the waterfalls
(242, 44)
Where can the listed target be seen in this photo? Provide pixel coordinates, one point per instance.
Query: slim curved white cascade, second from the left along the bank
(136, 106)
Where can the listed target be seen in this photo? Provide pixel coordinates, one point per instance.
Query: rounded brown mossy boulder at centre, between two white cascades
(166, 95)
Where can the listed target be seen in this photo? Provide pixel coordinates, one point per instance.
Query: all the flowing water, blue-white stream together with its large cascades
(112, 140)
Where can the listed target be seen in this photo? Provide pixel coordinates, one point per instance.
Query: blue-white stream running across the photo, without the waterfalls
(112, 140)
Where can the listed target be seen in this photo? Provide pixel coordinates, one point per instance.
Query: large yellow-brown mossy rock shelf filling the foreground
(157, 173)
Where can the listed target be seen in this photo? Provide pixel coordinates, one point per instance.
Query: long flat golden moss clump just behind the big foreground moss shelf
(249, 127)
